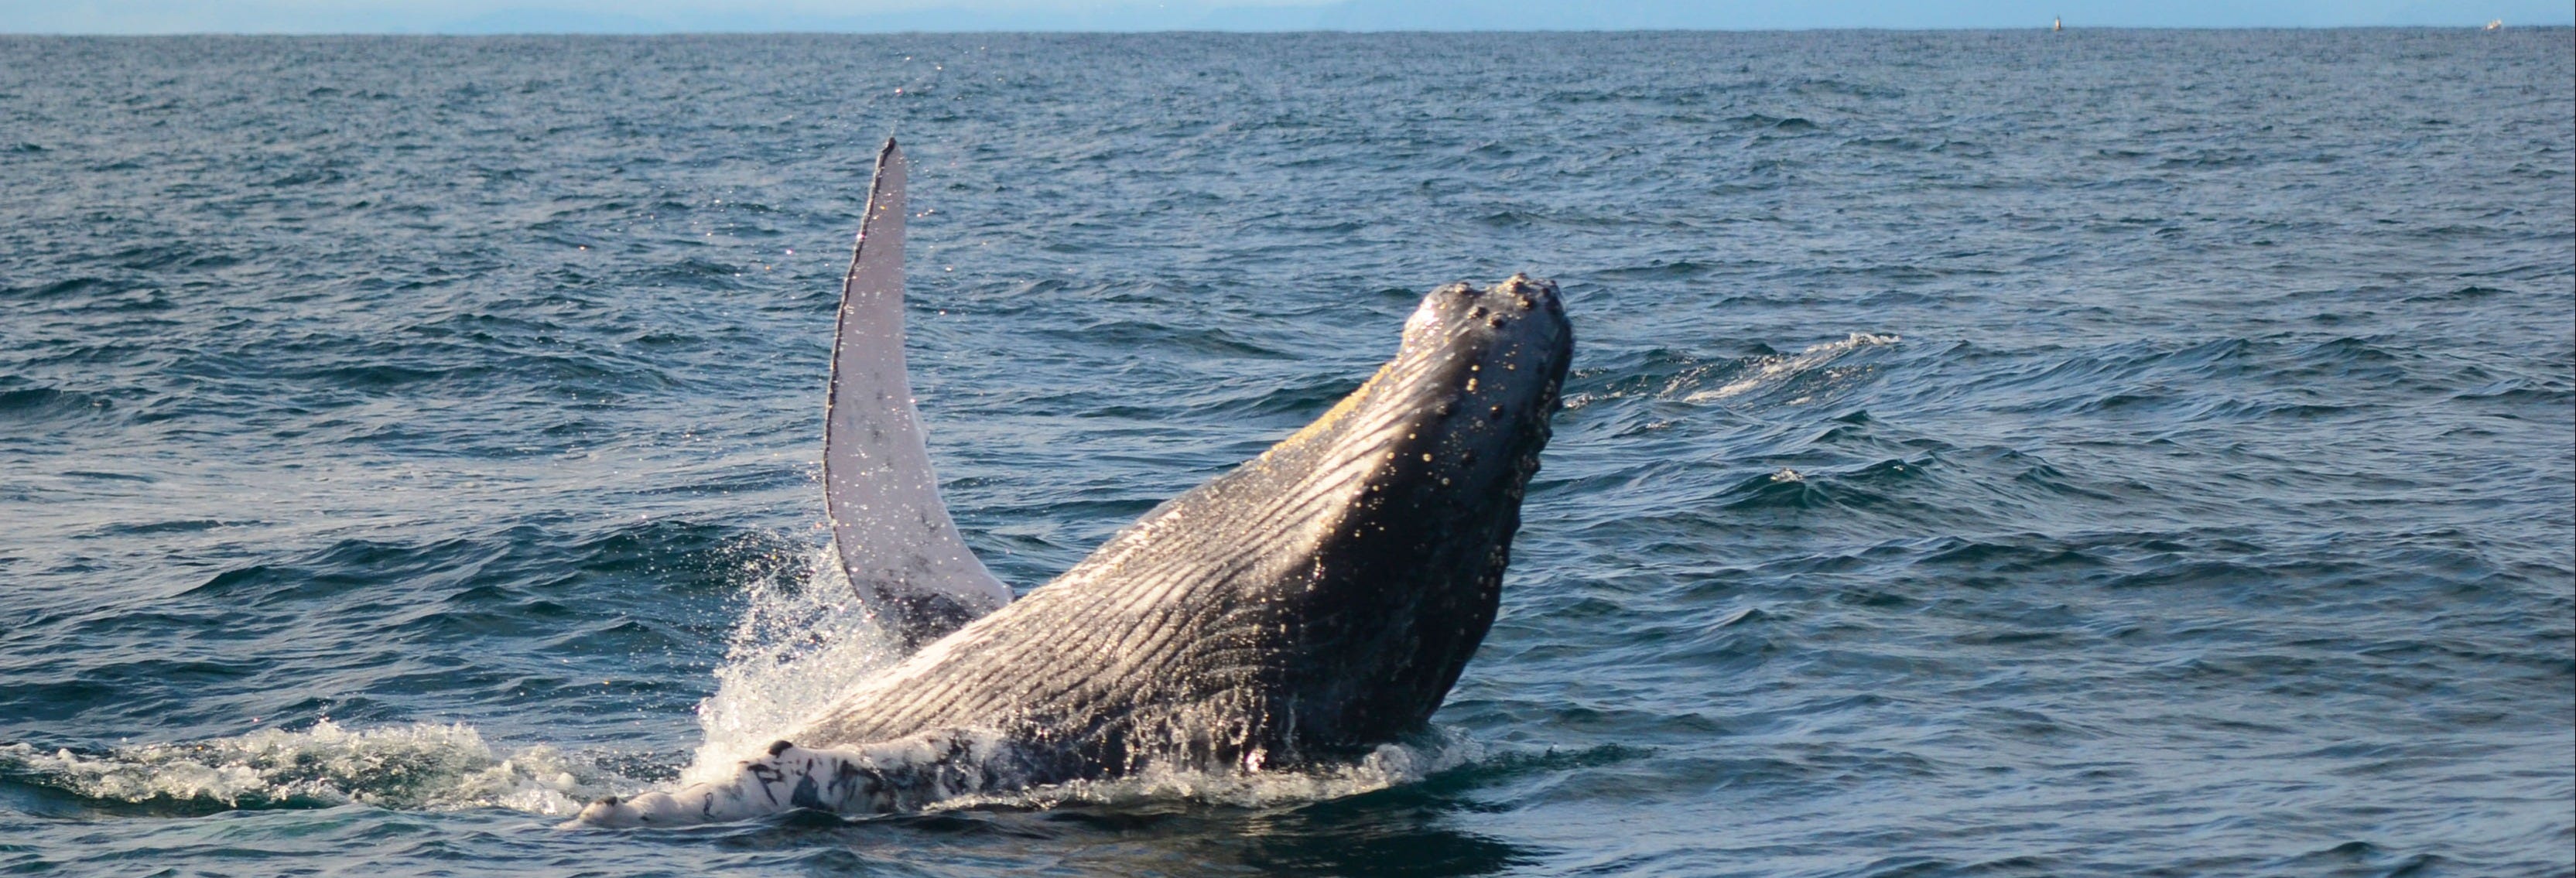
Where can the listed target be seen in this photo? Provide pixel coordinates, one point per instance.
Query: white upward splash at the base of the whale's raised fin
(802, 645)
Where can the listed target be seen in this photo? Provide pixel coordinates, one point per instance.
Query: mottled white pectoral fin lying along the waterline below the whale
(877, 779)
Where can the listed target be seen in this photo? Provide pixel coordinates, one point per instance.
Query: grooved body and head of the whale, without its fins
(1310, 604)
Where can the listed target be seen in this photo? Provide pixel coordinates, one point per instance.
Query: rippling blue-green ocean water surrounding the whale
(1987, 454)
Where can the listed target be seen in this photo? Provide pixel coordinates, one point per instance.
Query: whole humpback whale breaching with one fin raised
(1307, 606)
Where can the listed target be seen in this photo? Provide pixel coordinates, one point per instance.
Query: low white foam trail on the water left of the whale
(421, 766)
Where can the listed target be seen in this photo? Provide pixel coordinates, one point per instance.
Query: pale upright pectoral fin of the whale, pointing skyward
(890, 527)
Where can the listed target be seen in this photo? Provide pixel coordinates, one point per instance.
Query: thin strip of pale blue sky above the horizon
(679, 17)
